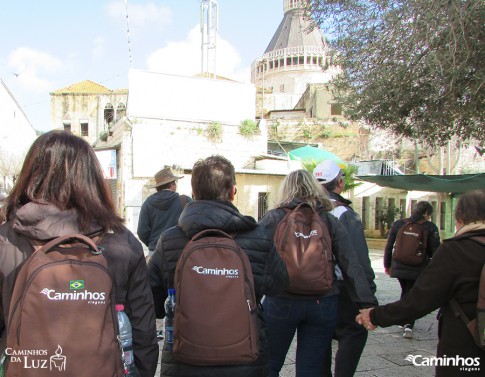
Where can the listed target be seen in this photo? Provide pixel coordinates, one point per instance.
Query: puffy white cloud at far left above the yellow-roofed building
(31, 65)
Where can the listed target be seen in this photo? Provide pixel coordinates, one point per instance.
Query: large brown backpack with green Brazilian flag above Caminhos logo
(61, 319)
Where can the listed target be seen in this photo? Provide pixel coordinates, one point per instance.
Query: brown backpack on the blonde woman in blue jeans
(303, 242)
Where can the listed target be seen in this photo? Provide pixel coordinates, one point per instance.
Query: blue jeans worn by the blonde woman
(314, 322)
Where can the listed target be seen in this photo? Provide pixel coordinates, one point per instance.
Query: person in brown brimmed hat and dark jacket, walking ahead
(160, 210)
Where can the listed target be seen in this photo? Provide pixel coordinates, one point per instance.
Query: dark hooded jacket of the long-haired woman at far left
(126, 262)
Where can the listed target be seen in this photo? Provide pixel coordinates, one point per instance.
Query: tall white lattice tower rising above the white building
(208, 29)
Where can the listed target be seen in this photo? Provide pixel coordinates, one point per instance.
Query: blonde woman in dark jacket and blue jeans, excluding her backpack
(312, 317)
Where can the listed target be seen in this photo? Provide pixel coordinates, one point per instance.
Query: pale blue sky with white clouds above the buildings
(49, 44)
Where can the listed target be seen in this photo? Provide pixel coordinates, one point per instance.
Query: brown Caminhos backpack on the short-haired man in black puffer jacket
(216, 315)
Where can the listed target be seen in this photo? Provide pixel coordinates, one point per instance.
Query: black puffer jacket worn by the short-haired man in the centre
(270, 274)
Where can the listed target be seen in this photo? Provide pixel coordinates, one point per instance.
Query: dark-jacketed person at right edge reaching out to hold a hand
(453, 273)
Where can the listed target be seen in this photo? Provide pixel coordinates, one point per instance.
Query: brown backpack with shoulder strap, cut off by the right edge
(477, 325)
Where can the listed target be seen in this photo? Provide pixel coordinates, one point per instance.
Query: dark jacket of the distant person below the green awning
(403, 271)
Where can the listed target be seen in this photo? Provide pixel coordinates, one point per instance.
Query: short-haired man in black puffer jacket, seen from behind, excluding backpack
(214, 187)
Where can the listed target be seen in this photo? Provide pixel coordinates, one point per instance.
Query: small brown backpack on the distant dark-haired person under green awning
(411, 243)
